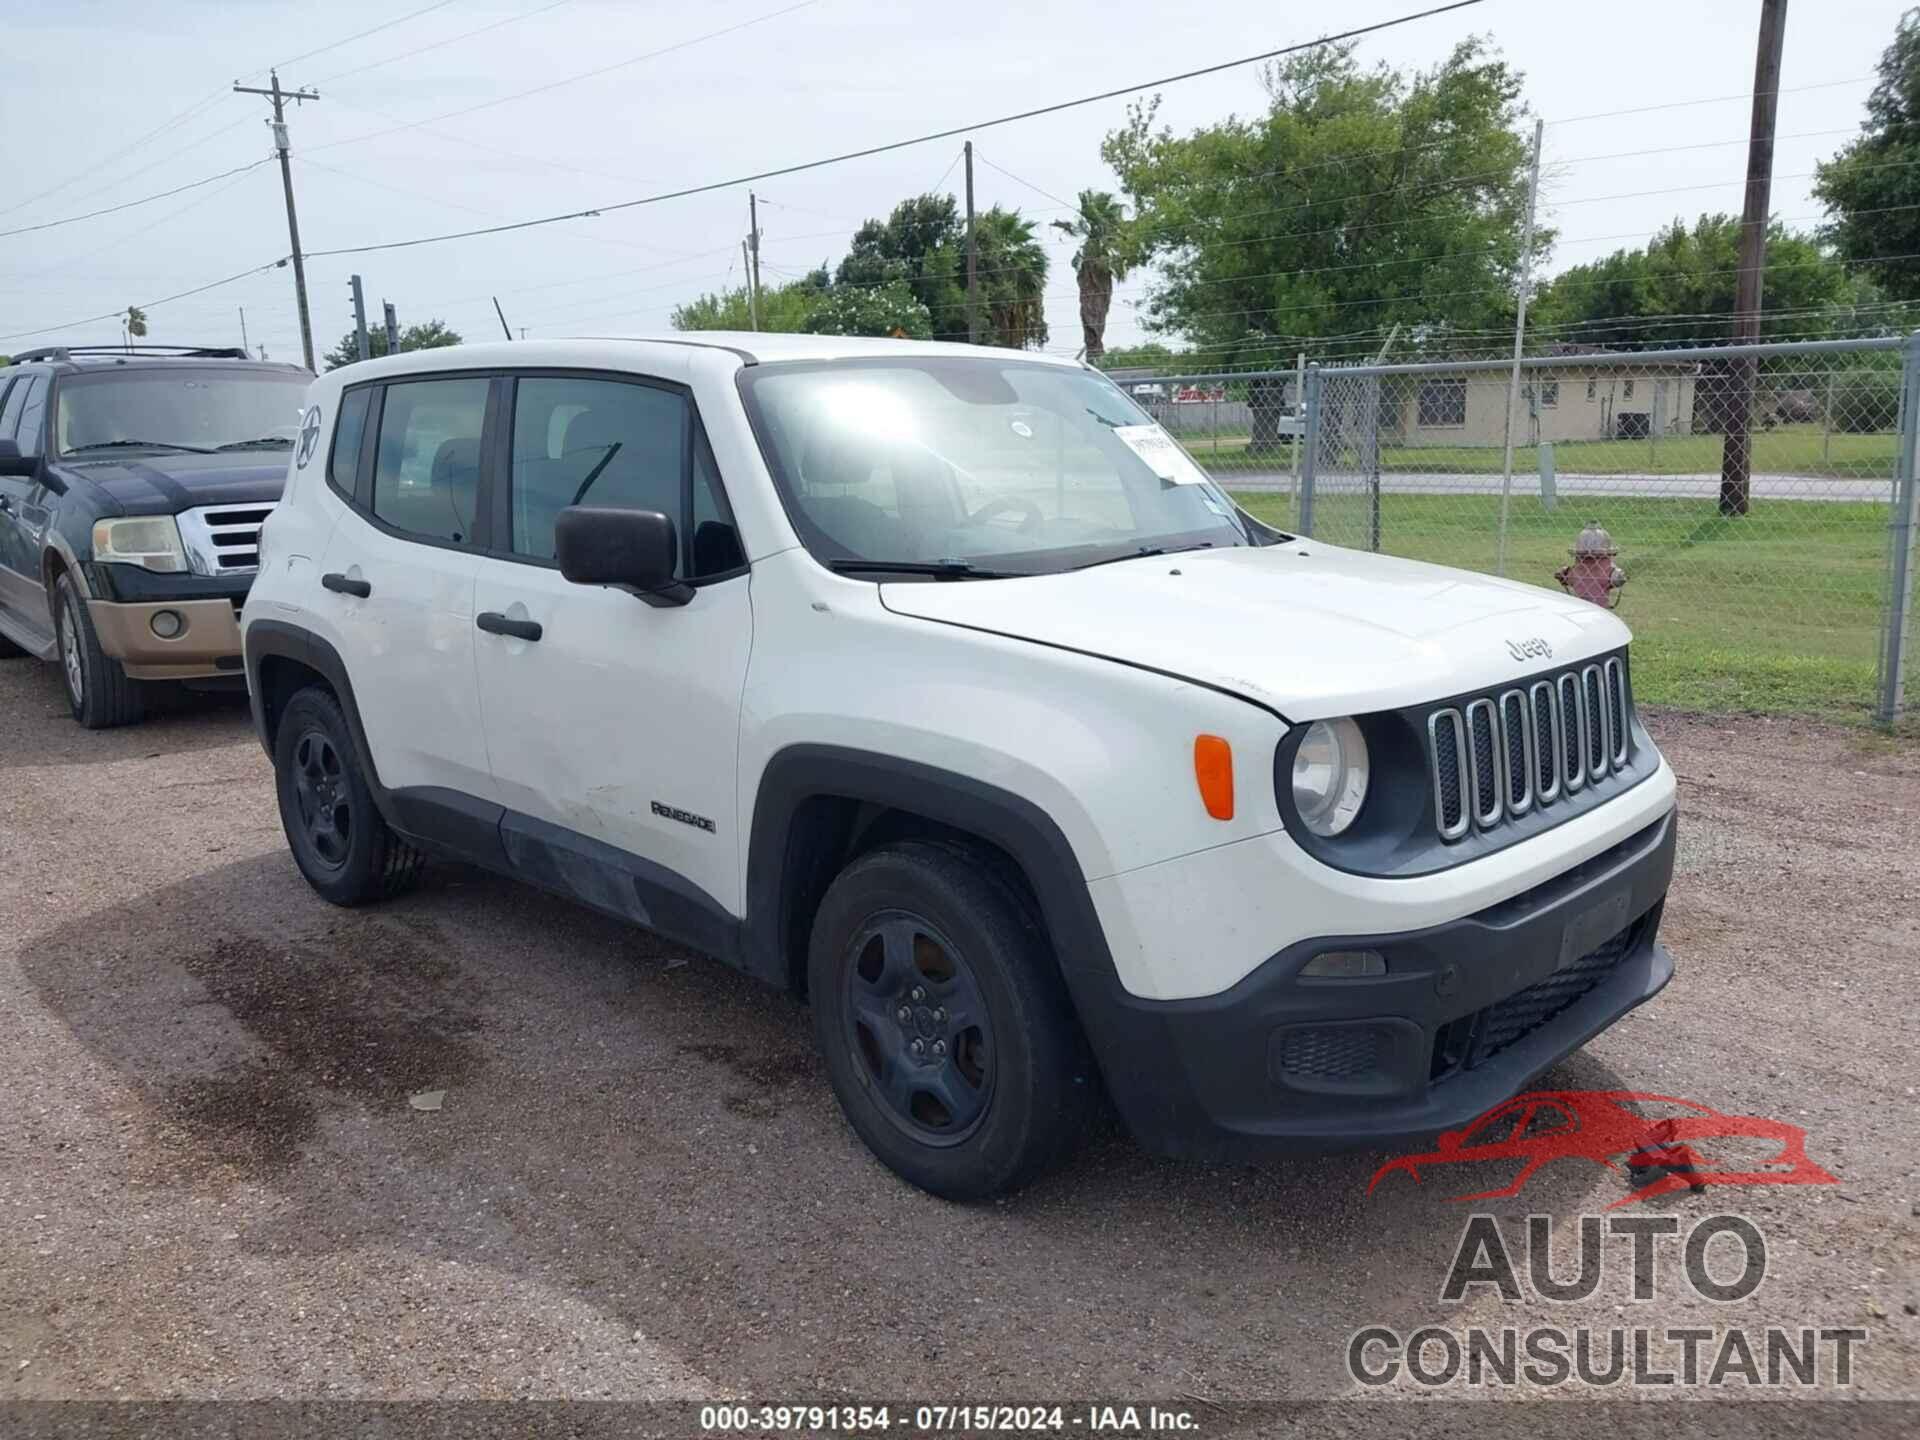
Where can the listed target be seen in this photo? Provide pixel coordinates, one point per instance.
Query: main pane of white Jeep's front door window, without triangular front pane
(594, 443)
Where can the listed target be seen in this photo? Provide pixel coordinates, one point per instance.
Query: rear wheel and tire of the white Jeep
(337, 834)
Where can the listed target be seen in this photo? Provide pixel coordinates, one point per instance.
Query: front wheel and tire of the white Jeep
(926, 944)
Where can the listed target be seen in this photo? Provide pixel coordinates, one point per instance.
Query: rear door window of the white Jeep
(427, 466)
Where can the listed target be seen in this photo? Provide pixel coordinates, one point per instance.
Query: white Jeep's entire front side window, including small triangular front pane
(581, 441)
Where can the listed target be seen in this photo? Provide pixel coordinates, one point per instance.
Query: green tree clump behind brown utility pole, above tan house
(1681, 289)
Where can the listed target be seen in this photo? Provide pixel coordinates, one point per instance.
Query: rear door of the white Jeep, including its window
(398, 583)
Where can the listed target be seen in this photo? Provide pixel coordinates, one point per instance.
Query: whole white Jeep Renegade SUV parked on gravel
(940, 686)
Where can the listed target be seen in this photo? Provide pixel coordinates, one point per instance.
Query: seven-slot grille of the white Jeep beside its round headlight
(1500, 756)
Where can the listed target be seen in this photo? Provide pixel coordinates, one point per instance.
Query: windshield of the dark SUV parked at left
(180, 408)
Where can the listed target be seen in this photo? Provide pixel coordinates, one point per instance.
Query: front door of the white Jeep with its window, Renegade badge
(621, 721)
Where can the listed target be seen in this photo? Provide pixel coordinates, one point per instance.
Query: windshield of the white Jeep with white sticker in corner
(997, 468)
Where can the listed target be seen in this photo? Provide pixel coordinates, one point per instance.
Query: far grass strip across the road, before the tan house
(1785, 450)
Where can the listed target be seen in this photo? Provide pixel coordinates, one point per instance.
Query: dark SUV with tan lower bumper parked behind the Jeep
(133, 485)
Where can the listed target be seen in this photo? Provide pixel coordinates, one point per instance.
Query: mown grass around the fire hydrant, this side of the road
(1777, 612)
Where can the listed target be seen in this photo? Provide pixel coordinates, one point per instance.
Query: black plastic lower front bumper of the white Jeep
(1466, 1017)
